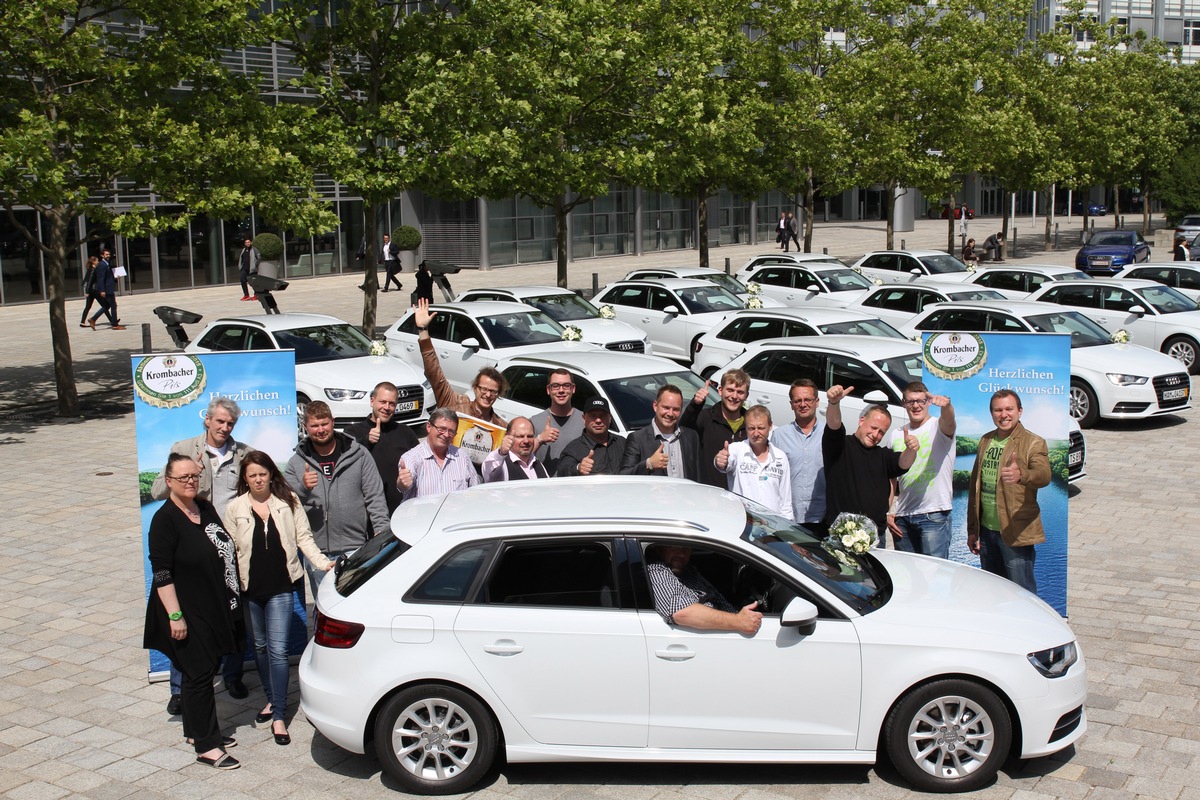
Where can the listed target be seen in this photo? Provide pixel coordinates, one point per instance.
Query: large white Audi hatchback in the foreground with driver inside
(518, 622)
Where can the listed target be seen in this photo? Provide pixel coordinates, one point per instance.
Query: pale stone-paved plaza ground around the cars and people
(79, 718)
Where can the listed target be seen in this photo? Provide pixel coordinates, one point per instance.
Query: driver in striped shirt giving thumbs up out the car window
(683, 597)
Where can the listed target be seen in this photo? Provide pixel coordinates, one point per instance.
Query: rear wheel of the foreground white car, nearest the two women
(436, 739)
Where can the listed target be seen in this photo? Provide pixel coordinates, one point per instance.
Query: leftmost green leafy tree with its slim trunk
(130, 89)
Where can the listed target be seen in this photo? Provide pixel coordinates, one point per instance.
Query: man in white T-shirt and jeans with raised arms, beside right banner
(920, 519)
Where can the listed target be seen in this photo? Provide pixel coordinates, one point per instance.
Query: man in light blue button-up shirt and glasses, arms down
(801, 442)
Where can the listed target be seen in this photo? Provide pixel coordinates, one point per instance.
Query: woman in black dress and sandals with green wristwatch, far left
(194, 615)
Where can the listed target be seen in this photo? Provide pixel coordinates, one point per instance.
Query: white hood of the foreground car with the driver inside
(988, 612)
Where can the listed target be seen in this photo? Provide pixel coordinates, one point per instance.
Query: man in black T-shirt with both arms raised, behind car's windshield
(859, 472)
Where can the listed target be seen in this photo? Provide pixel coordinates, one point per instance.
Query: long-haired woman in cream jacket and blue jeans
(268, 526)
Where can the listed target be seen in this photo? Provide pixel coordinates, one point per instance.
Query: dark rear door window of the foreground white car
(563, 574)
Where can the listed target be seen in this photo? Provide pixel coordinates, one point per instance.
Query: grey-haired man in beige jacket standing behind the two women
(220, 459)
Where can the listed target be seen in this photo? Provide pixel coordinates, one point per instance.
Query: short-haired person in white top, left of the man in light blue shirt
(758, 470)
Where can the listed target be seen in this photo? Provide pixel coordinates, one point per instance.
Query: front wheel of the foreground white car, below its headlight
(949, 736)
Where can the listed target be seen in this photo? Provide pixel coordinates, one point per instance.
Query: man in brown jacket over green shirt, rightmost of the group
(1004, 519)
